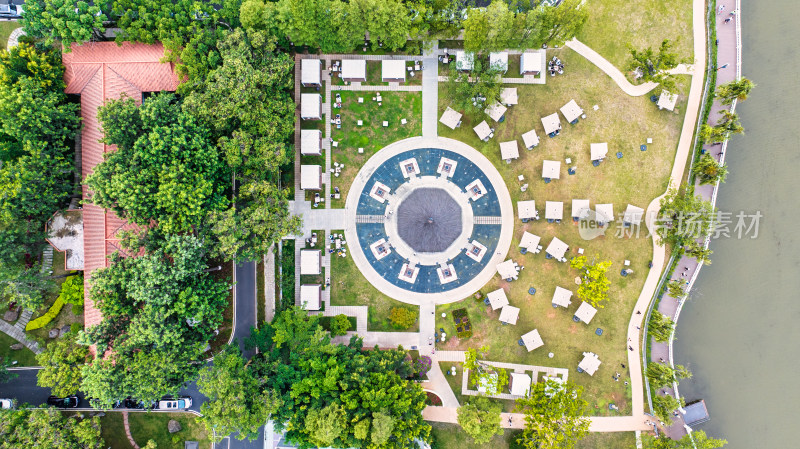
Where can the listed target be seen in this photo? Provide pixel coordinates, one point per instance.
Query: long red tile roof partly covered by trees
(100, 71)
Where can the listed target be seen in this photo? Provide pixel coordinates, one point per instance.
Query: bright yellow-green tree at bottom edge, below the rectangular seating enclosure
(554, 416)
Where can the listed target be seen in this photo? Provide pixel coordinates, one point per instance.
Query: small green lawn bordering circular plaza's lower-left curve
(350, 288)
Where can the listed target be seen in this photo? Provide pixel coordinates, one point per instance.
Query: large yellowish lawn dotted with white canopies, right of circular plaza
(625, 123)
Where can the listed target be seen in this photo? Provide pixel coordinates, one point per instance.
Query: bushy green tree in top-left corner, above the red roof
(63, 20)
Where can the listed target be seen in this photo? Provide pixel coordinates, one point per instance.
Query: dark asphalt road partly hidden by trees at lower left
(25, 390)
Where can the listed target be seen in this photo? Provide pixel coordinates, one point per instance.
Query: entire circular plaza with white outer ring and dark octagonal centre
(428, 220)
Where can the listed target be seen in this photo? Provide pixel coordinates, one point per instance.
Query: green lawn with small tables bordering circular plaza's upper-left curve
(371, 136)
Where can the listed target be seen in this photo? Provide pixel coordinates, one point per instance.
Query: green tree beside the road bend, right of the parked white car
(237, 402)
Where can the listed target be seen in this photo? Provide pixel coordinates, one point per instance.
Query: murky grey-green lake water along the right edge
(740, 333)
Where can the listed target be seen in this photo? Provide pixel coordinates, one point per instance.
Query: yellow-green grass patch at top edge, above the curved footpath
(614, 24)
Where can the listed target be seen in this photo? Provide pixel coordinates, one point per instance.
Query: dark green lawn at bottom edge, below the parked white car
(145, 426)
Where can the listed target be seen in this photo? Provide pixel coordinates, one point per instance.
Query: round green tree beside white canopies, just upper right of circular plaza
(473, 91)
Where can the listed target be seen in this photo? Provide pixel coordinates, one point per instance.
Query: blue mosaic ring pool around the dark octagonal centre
(390, 174)
